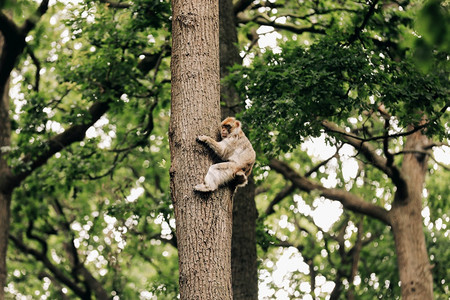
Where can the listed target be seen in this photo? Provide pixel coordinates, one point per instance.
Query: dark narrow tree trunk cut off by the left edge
(5, 193)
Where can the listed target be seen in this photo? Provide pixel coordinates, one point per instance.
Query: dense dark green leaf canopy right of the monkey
(292, 92)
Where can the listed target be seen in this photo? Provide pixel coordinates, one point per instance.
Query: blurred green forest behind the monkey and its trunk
(330, 107)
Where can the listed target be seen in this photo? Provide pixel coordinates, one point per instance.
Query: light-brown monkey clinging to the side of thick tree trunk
(236, 152)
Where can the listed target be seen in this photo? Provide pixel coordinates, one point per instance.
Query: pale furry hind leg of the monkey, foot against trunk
(217, 175)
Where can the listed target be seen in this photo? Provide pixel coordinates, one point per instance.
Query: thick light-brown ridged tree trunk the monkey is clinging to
(203, 221)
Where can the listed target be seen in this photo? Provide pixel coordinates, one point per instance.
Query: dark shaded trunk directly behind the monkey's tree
(243, 246)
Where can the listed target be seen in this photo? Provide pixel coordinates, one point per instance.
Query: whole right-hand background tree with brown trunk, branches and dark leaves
(349, 89)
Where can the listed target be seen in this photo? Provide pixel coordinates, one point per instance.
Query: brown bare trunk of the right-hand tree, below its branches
(407, 225)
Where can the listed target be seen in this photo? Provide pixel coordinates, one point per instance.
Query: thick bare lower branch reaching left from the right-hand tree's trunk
(348, 200)
